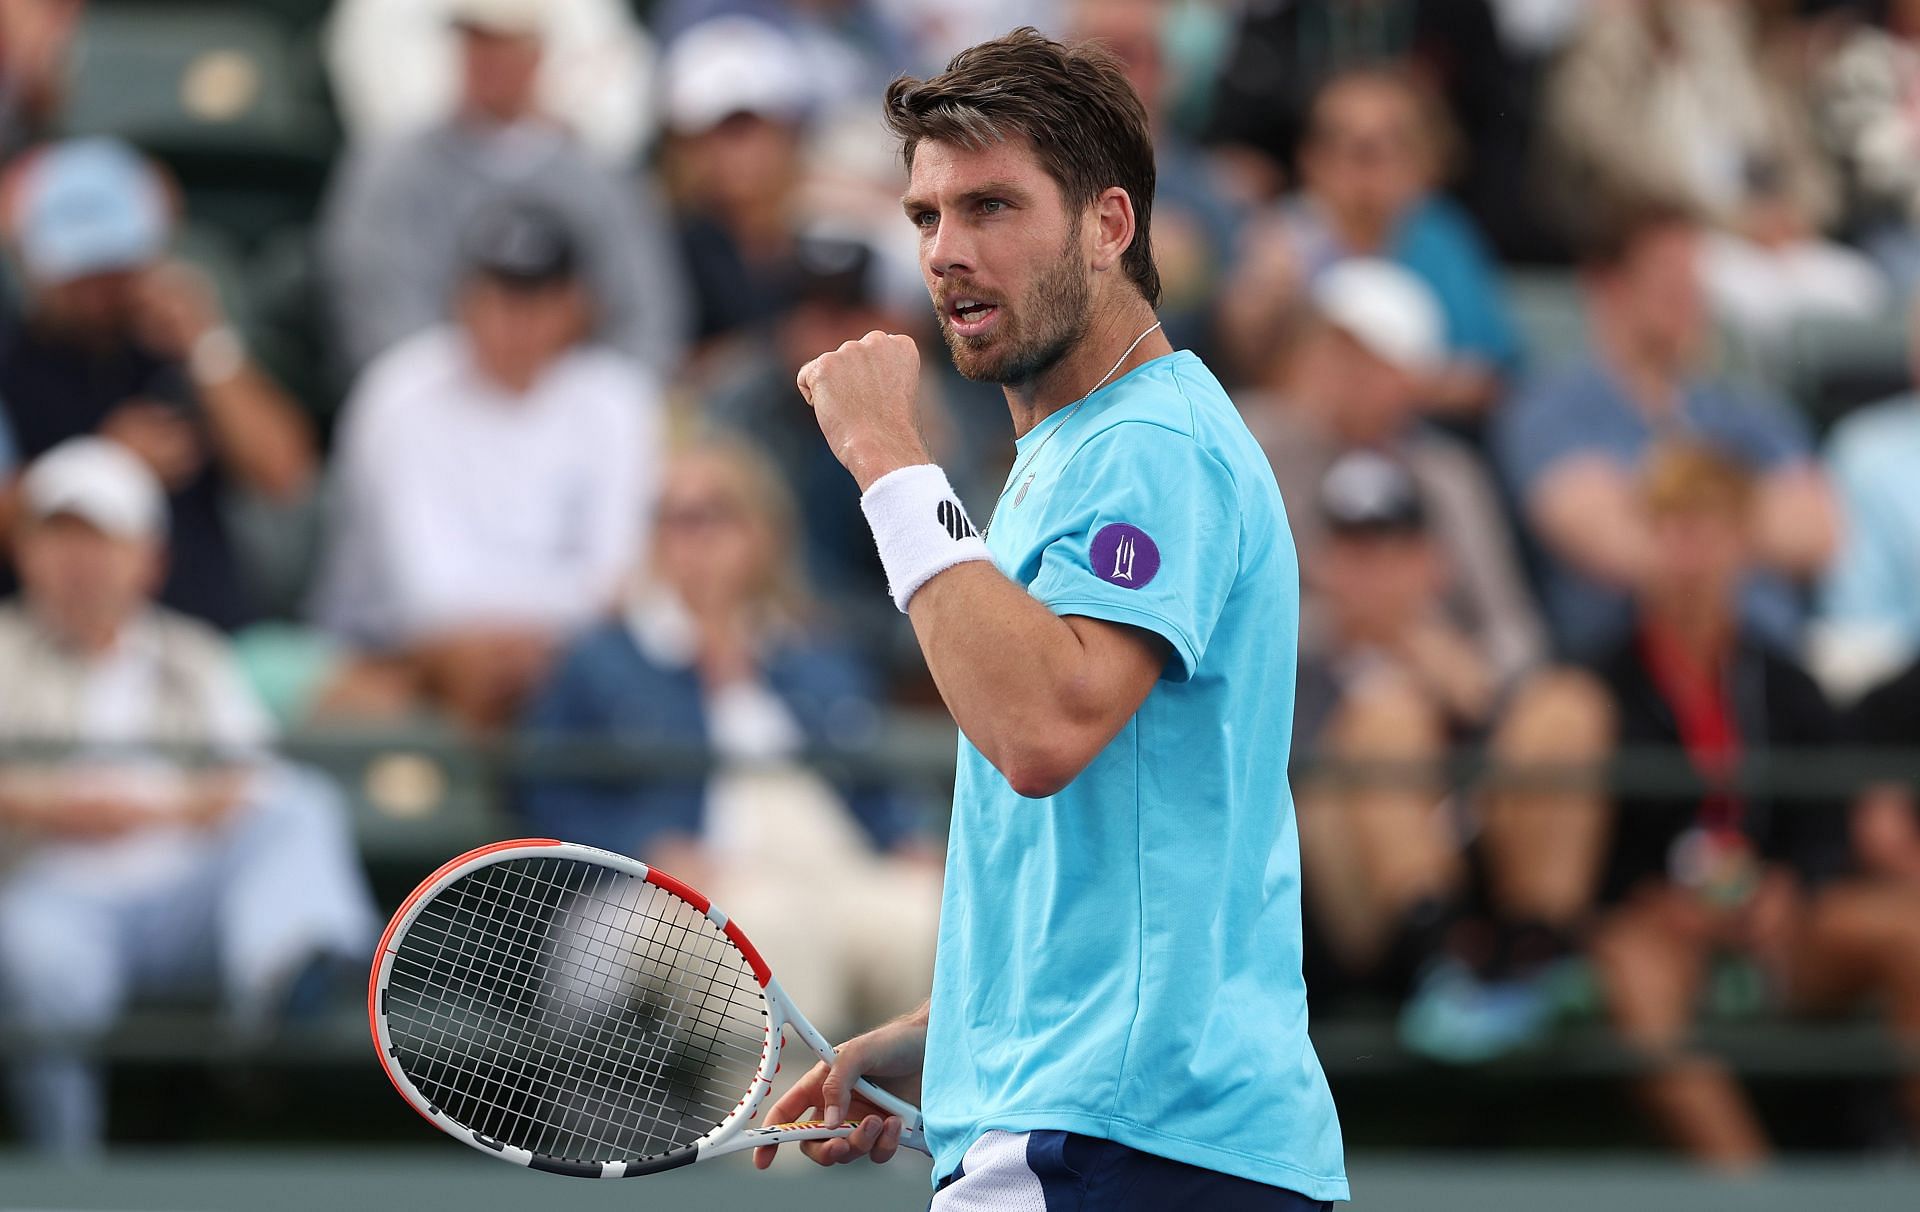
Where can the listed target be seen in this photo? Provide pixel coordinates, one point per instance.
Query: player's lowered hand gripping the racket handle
(898, 1050)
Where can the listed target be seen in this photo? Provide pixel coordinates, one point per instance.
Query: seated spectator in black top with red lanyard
(1719, 869)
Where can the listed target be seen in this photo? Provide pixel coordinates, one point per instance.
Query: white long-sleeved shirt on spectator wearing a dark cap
(462, 504)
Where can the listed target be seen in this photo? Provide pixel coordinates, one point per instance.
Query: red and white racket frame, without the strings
(731, 1134)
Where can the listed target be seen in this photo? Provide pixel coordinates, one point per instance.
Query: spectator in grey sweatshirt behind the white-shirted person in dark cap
(391, 226)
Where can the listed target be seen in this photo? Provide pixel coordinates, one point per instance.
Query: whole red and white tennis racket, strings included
(581, 1013)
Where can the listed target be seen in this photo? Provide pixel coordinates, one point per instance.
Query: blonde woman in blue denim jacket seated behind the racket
(723, 656)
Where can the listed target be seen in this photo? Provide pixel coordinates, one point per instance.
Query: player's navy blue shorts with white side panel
(1068, 1173)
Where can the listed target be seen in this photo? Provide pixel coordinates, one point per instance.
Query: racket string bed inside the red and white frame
(573, 1011)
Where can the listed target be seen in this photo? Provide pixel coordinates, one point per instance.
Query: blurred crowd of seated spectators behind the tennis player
(1554, 316)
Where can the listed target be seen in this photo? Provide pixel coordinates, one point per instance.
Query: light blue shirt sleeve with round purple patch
(1143, 527)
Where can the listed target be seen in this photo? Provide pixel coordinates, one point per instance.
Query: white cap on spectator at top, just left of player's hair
(734, 66)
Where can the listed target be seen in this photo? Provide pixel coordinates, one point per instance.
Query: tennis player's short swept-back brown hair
(1072, 103)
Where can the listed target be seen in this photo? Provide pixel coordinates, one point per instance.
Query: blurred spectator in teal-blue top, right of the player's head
(1368, 168)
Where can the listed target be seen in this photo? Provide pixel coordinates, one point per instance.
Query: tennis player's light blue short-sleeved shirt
(1124, 959)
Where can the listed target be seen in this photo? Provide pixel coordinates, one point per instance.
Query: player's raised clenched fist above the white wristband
(863, 397)
